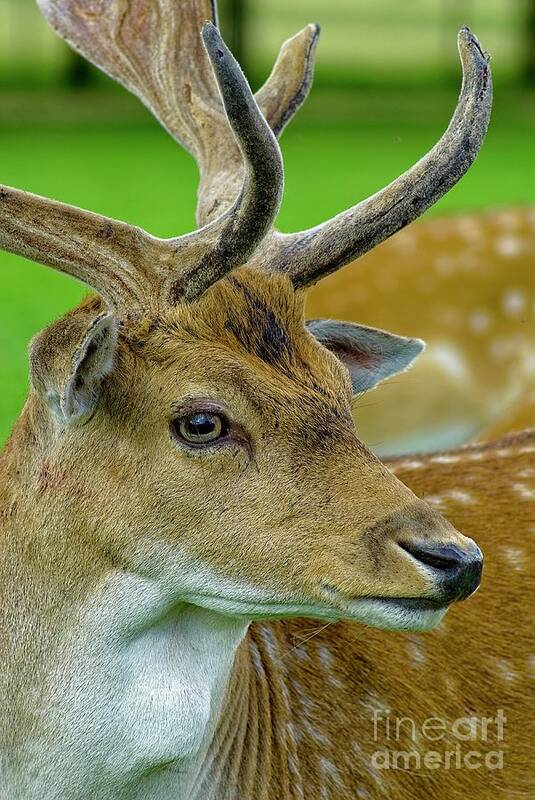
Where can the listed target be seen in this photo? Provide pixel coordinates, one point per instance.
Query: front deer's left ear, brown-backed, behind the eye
(72, 385)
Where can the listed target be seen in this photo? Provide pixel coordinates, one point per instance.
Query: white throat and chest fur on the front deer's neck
(125, 701)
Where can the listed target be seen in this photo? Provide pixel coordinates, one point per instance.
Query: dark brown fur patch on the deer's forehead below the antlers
(259, 331)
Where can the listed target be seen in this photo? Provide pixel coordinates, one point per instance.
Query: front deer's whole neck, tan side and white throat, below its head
(116, 686)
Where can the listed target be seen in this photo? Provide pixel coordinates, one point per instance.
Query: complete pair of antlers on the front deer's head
(201, 96)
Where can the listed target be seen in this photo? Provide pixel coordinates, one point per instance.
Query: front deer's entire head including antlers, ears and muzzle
(187, 425)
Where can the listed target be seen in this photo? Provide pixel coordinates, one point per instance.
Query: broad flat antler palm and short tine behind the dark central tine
(152, 47)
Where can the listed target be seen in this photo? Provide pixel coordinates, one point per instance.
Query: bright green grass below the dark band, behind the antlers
(342, 149)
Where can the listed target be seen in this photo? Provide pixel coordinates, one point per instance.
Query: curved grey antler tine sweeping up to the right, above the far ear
(309, 255)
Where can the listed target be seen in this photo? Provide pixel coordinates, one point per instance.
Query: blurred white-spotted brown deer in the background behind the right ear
(467, 283)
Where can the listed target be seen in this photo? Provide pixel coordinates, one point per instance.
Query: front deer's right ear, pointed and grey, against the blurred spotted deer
(371, 355)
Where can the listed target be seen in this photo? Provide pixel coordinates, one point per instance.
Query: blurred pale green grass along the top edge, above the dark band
(361, 41)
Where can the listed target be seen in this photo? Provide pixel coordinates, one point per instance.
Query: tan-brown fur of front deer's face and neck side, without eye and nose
(303, 507)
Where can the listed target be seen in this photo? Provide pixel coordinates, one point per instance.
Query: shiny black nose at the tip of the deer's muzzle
(458, 572)
